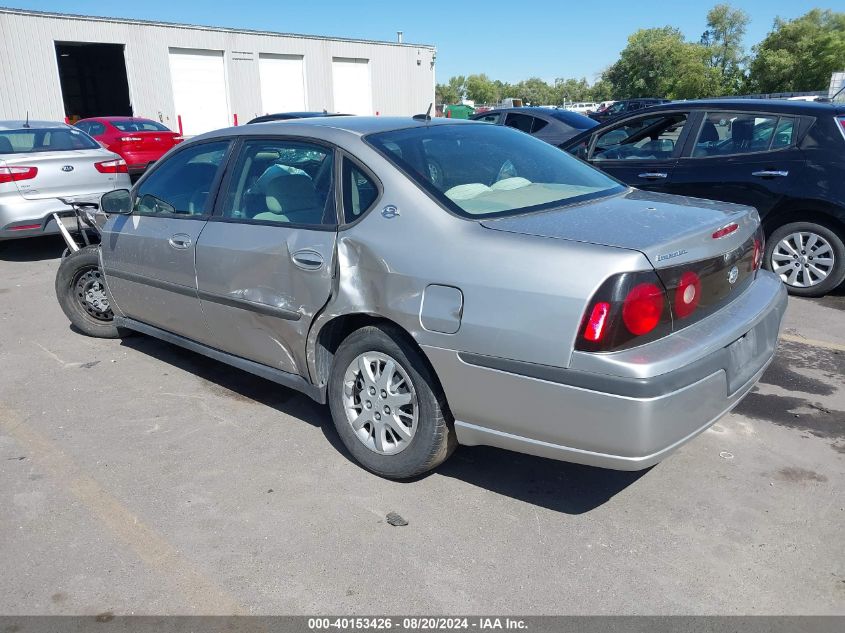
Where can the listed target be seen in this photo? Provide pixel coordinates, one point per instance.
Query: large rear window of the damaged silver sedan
(478, 170)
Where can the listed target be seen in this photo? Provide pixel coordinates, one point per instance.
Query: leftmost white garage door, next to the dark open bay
(199, 89)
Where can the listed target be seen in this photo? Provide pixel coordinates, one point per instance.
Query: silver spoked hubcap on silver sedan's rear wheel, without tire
(380, 403)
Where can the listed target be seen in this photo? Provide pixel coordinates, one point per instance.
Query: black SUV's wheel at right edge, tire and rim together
(808, 257)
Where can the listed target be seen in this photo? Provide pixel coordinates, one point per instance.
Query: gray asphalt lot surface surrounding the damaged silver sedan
(138, 478)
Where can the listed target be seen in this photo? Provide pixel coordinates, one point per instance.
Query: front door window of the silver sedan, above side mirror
(181, 184)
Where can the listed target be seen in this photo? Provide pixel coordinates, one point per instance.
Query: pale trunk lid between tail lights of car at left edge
(65, 173)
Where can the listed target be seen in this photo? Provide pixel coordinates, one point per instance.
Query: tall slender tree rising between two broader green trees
(726, 28)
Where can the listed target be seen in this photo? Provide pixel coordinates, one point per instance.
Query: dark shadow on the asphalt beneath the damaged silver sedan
(558, 486)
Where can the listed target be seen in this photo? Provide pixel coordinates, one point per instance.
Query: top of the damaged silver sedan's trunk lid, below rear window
(669, 230)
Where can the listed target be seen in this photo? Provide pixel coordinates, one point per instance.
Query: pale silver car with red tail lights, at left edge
(41, 161)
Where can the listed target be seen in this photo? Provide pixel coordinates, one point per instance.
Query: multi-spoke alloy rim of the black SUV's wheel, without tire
(803, 259)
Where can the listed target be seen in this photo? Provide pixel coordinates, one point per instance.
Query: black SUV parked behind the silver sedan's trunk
(786, 158)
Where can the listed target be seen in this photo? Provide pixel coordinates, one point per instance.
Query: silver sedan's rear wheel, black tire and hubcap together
(386, 404)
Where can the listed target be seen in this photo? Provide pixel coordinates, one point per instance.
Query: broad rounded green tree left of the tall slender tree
(659, 62)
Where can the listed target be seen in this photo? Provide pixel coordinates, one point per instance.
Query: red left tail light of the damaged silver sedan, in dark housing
(629, 309)
